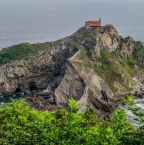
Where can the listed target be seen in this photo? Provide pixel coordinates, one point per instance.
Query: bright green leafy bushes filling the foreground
(23, 125)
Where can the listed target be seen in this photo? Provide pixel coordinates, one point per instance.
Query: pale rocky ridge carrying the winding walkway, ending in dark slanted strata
(97, 93)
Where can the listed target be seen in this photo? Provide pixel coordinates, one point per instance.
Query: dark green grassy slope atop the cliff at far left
(21, 51)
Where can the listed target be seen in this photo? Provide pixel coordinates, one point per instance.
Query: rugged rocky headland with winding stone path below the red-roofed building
(92, 65)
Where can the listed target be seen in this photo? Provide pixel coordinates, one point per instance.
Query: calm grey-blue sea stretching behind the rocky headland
(36, 21)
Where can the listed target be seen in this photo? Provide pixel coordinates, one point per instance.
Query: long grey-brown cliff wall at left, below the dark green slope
(36, 72)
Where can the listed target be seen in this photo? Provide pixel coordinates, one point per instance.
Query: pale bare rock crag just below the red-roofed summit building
(104, 38)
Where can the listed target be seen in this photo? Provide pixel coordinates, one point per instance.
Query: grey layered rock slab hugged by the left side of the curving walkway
(71, 86)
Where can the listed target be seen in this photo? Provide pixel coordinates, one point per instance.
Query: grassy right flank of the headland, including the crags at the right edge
(117, 67)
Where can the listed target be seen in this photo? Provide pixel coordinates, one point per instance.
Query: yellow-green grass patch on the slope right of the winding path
(112, 68)
